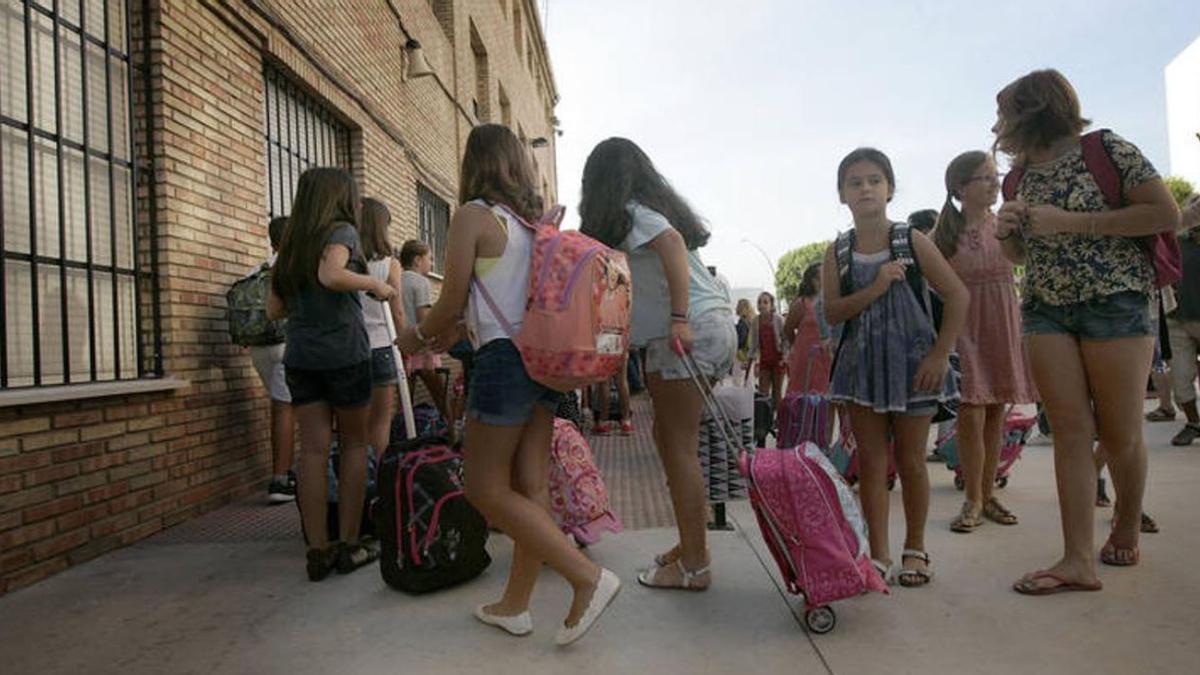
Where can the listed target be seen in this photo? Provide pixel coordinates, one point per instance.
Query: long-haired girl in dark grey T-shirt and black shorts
(328, 357)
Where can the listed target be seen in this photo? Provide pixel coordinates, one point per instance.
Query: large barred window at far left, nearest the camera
(69, 258)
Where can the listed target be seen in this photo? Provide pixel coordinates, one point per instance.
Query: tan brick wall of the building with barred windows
(81, 479)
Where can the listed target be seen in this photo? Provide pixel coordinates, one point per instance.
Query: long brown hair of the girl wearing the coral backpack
(496, 169)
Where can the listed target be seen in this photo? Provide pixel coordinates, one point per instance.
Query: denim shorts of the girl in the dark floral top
(1108, 318)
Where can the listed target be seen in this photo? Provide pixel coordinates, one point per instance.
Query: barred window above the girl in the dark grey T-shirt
(302, 133)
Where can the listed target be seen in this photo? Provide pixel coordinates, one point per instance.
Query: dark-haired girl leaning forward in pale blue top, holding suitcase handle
(628, 205)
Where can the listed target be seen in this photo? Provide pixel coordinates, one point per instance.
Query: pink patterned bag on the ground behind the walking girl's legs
(578, 495)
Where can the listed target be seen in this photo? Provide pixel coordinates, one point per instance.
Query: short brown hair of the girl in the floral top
(1035, 111)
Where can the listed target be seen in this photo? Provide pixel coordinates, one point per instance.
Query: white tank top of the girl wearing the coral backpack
(507, 283)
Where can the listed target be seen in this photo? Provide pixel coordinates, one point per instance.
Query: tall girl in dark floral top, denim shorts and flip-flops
(1087, 313)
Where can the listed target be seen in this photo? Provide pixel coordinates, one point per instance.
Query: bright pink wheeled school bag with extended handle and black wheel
(808, 517)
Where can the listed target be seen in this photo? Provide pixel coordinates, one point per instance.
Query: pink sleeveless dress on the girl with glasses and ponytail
(994, 366)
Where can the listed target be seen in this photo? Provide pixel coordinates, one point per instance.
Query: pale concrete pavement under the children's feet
(227, 594)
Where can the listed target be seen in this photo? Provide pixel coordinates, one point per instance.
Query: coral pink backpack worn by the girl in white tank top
(577, 322)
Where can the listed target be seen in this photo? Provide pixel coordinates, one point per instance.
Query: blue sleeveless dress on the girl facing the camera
(884, 348)
